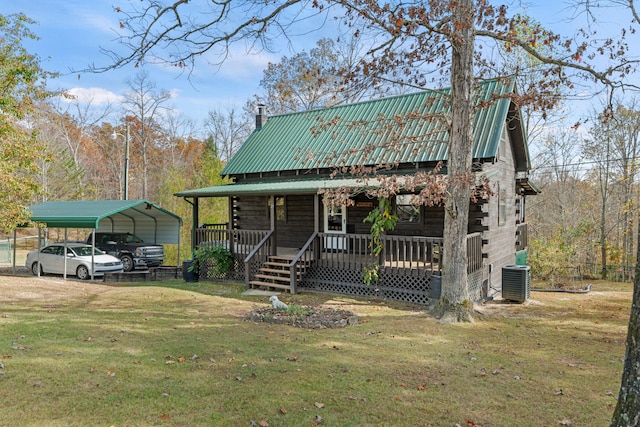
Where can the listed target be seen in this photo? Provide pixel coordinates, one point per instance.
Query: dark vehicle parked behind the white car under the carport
(131, 250)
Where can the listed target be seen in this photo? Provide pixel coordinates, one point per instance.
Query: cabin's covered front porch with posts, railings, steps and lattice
(301, 249)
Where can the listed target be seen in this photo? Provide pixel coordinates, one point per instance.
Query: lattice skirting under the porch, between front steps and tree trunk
(391, 286)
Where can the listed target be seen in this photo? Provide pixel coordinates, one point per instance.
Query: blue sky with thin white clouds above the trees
(72, 32)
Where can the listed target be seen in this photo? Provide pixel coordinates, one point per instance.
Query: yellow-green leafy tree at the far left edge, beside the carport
(22, 85)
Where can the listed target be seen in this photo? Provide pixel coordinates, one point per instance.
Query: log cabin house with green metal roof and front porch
(283, 236)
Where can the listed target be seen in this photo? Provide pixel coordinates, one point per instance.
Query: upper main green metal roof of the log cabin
(356, 134)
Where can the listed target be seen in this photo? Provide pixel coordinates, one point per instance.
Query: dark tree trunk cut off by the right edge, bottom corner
(627, 412)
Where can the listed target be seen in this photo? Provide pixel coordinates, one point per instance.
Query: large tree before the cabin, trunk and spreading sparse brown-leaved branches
(416, 43)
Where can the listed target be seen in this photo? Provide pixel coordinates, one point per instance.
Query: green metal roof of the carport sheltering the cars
(88, 213)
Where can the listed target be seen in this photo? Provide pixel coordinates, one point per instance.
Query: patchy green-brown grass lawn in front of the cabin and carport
(183, 354)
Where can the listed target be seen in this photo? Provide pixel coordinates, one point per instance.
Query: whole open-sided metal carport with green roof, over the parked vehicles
(148, 221)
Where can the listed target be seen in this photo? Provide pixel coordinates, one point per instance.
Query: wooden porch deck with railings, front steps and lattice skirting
(407, 266)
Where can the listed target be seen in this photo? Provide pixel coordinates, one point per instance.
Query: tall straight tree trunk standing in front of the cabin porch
(454, 304)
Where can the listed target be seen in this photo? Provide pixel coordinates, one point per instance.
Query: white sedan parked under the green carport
(78, 261)
